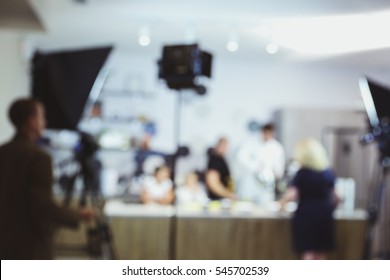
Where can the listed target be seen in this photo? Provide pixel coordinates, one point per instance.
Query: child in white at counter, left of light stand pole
(158, 188)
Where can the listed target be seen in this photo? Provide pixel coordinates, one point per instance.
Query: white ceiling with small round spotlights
(304, 30)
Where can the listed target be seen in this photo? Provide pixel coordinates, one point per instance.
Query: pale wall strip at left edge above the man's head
(13, 78)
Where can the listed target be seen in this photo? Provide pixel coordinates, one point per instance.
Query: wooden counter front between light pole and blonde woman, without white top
(239, 239)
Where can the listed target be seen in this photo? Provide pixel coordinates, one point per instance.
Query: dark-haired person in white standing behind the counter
(261, 165)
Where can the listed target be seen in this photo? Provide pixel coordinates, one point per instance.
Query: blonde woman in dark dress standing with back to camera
(313, 187)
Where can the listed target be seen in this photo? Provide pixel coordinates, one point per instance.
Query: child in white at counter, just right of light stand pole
(191, 192)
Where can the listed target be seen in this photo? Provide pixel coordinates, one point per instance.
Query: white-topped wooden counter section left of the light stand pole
(140, 232)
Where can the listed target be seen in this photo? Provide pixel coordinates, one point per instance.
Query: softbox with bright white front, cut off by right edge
(376, 98)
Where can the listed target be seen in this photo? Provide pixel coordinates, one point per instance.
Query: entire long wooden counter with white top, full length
(160, 232)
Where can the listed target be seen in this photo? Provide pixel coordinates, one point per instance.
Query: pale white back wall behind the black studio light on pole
(238, 92)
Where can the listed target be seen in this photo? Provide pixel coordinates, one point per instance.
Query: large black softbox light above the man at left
(63, 81)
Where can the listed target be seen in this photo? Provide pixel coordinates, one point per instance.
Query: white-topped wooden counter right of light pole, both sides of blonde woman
(256, 236)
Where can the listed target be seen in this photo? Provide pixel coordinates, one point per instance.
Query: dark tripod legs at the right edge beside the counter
(377, 206)
